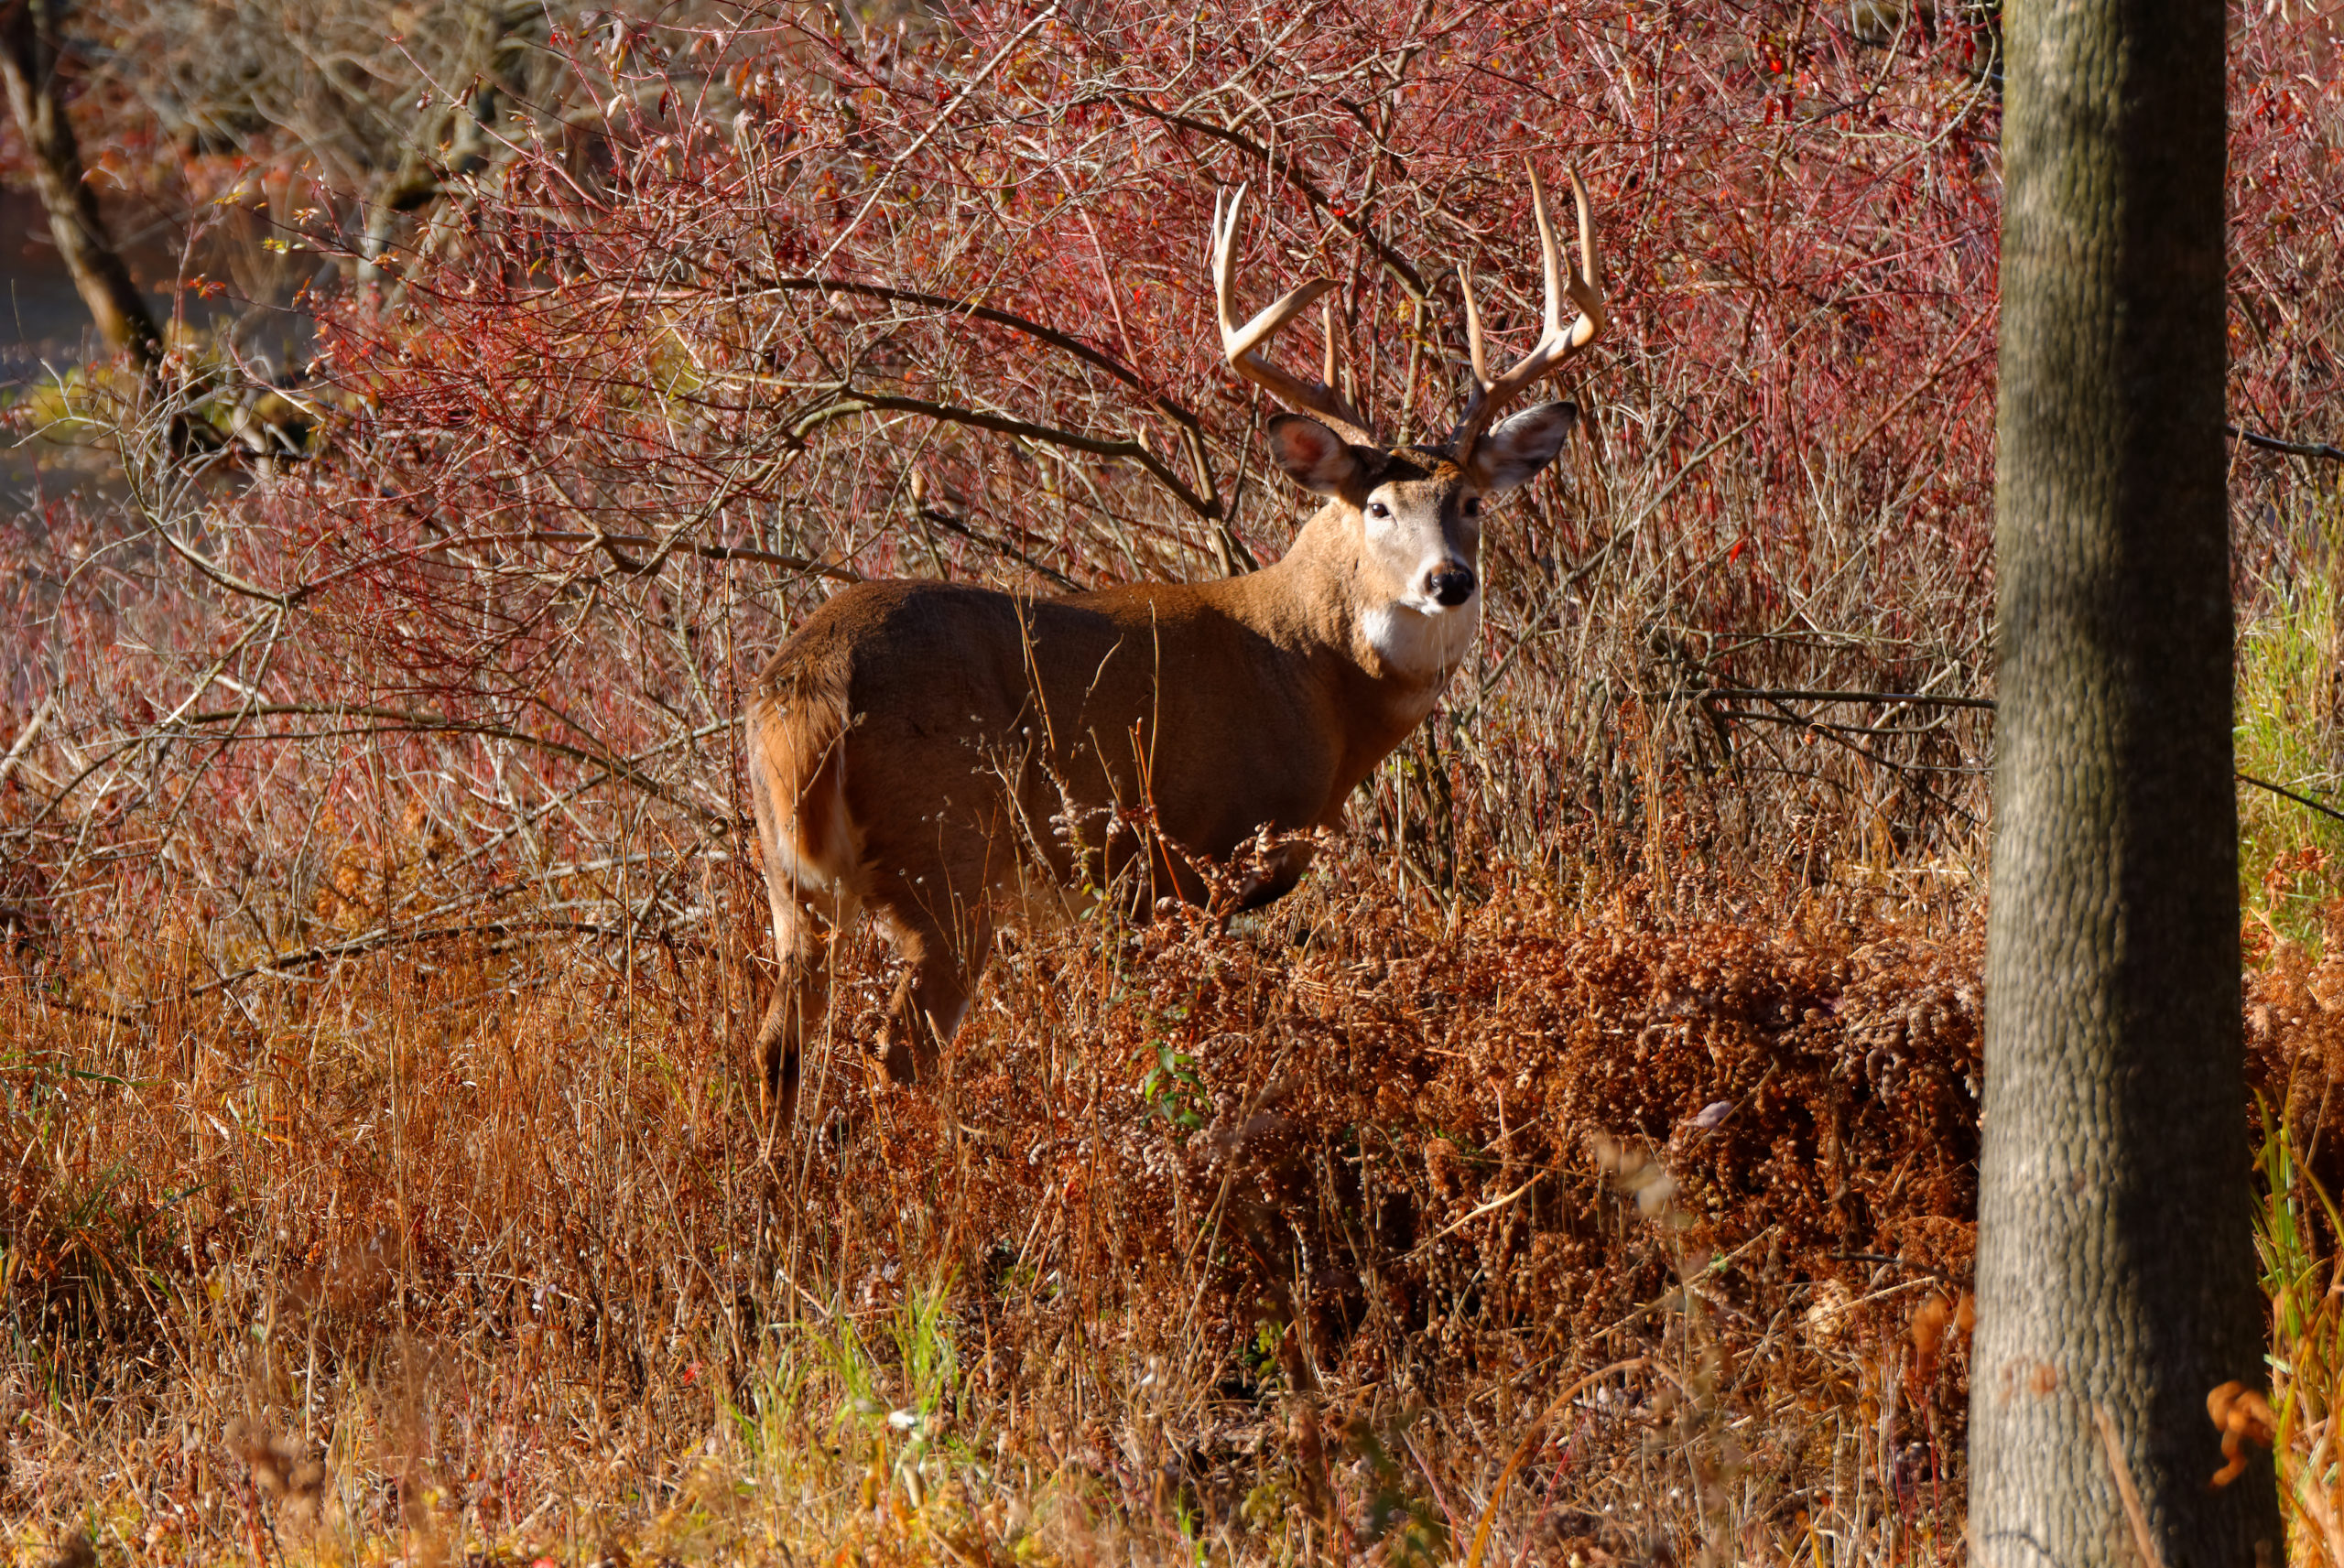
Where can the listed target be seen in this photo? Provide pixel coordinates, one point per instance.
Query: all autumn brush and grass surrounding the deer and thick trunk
(381, 897)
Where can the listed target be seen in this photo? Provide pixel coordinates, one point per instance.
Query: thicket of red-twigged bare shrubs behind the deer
(796, 306)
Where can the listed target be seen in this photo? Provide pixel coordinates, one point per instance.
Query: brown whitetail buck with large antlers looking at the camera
(927, 749)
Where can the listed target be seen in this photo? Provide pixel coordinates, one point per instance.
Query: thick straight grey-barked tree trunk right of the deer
(2115, 1239)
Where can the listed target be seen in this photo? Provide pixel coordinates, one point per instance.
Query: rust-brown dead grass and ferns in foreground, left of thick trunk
(1260, 1246)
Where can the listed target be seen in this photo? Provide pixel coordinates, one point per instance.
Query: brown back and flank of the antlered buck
(965, 702)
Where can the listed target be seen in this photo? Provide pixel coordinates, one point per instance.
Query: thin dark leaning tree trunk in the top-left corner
(29, 71)
